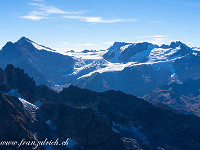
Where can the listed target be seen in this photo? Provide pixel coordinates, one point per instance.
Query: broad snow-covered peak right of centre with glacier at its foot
(137, 54)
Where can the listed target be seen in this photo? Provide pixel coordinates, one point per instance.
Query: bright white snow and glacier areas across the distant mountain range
(89, 62)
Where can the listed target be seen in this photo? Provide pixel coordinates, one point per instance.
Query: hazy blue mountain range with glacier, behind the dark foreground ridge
(142, 69)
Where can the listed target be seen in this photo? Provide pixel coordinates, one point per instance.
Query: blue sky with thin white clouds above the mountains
(96, 24)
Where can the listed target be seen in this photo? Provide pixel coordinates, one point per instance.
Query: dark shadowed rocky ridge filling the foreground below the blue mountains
(97, 121)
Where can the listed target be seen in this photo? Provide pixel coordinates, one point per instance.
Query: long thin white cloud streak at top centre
(99, 19)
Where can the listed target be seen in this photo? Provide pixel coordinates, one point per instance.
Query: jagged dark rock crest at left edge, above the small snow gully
(15, 78)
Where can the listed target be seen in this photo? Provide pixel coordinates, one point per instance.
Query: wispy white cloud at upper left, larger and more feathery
(44, 11)
